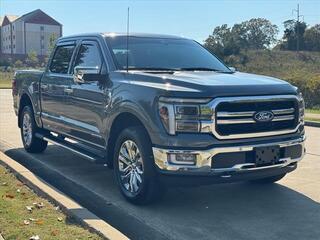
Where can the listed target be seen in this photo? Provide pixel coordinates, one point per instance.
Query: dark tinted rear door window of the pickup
(61, 59)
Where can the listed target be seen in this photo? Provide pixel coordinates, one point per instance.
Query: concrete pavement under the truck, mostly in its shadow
(289, 209)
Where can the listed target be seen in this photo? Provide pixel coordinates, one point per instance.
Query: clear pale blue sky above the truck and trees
(192, 19)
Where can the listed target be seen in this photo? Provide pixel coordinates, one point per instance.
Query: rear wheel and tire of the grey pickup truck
(28, 130)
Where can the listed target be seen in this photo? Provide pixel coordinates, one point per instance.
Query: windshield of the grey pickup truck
(147, 53)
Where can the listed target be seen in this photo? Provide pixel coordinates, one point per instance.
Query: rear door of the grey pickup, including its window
(54, 88)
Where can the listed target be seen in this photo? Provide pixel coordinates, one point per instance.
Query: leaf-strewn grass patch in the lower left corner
(16, 222)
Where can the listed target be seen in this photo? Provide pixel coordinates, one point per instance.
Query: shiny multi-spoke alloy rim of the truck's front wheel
(130, 166)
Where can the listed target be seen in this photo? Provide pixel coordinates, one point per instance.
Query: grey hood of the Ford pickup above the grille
(208, 84)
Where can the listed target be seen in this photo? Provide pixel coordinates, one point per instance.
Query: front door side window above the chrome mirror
(88, 56)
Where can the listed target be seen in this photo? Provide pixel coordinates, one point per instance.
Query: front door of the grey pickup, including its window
(87, 101)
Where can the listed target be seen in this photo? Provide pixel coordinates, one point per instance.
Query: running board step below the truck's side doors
(73, 147)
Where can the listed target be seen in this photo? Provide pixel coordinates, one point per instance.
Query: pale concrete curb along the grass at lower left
(67, 205)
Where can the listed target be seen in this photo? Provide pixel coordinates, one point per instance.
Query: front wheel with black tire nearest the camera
(135, 170)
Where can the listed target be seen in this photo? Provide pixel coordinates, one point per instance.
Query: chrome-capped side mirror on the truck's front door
(84, 74)
